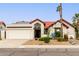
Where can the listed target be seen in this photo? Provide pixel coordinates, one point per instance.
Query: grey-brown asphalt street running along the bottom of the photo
(39, 51)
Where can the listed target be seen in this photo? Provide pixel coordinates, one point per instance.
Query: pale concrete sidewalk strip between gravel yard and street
(48, 46)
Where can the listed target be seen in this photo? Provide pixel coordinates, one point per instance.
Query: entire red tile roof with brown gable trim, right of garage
(48, 24)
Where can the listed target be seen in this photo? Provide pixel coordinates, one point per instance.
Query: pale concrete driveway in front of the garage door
(11, 43)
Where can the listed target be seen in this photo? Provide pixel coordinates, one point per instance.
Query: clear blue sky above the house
(13, 12)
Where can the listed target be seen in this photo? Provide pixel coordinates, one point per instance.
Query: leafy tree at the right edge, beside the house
(76, 23)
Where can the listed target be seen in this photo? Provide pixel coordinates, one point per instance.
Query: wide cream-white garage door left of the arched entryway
(19, 34)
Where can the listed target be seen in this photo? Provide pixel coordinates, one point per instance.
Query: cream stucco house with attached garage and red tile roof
(37, 29)
